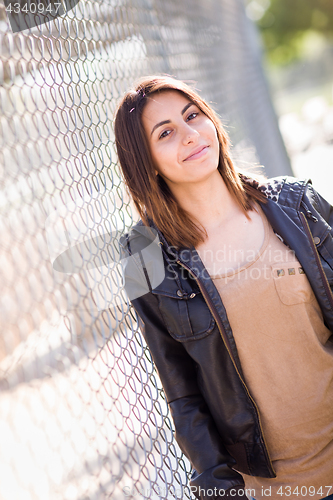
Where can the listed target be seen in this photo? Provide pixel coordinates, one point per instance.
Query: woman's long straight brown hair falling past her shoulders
(150, 193)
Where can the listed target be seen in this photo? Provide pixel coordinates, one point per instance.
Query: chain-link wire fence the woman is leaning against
(82, 411)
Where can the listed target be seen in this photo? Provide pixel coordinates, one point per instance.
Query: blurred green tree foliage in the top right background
(285, 24)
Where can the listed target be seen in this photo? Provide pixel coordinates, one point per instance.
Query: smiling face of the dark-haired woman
(183, 140)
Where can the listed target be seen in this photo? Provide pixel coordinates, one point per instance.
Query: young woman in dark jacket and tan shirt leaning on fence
(240, 325)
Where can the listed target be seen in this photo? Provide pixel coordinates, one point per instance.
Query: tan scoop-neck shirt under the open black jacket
(288, 367)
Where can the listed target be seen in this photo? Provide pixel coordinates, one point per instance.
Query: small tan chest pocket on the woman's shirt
(291, 283)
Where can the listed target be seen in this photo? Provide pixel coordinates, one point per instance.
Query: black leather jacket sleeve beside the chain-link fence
(196, 432)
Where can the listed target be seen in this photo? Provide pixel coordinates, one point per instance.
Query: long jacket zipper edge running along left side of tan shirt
(227, 345)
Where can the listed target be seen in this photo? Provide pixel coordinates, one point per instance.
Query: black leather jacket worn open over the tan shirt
(185, 325)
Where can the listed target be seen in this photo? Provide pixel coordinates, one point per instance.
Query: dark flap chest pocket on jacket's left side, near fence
(186, 316)
